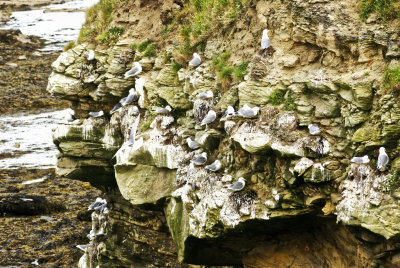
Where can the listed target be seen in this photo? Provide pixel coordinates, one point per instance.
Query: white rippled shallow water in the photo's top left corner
(57, 28)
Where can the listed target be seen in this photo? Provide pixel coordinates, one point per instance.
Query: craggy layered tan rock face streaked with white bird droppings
(303, 204)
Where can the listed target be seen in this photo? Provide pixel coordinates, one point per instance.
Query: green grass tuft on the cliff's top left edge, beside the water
(97, 24)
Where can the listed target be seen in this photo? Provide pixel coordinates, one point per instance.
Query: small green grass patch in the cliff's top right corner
(385, 9)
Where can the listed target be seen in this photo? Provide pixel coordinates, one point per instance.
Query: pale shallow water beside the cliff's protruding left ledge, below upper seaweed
(25, 139)
